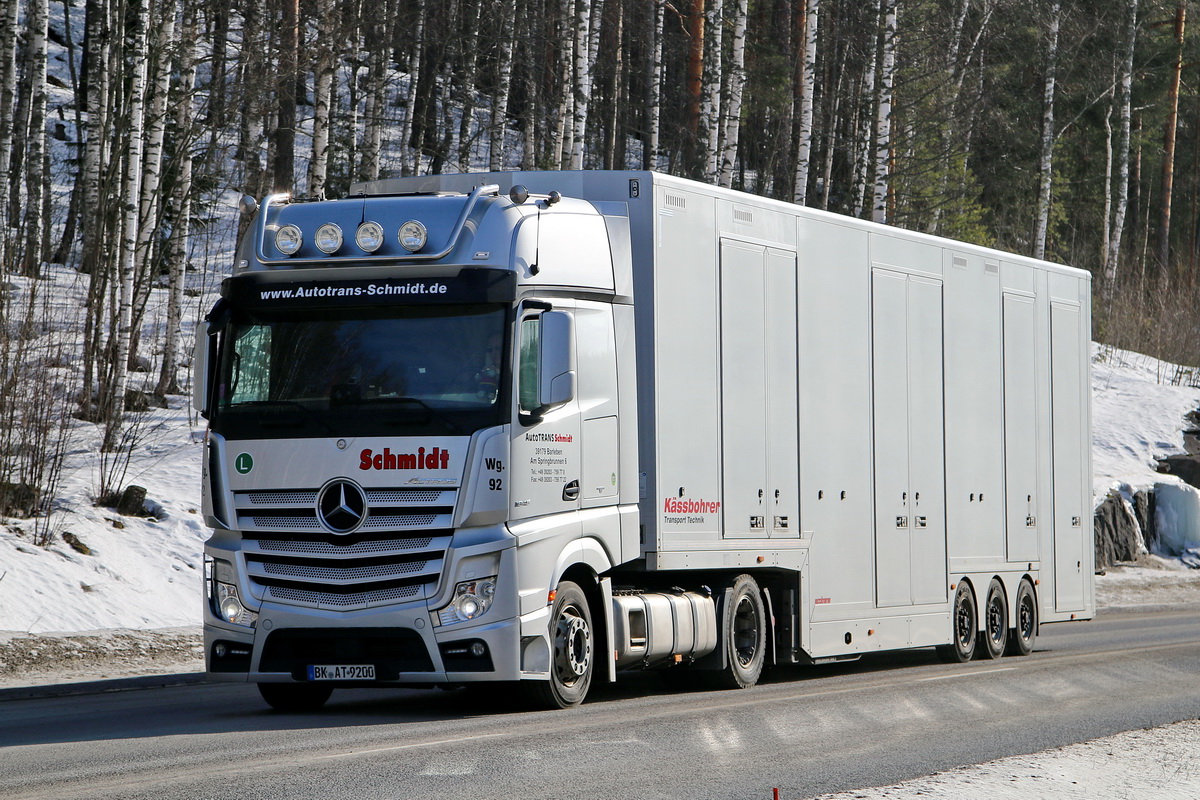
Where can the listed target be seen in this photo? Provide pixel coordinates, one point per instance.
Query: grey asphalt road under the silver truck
(806, 731)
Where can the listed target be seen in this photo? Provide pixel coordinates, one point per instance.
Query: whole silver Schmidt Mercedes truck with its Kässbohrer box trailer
(543, 428)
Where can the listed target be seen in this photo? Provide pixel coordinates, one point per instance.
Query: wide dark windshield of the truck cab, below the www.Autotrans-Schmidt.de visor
(422, 370)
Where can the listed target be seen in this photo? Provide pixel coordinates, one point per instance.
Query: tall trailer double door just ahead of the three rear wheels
(909, 419)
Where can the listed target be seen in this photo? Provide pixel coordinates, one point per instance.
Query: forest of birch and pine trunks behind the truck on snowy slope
(1067, 130)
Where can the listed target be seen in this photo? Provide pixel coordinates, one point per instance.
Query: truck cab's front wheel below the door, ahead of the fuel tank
(573, 653)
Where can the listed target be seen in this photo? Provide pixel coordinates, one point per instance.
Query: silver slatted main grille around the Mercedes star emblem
(395, 556)
